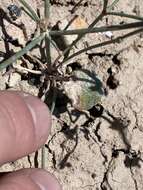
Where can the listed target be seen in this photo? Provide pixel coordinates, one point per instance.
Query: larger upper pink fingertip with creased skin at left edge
(25, 123)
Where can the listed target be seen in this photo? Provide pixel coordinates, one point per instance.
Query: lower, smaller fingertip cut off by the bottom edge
(33, 179)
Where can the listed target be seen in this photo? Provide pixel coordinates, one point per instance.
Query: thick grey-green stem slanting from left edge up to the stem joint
(16, 56)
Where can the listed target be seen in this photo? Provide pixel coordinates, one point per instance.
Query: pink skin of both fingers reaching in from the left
(25, 123)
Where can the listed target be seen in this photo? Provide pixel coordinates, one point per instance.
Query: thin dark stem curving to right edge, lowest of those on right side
(116, 40)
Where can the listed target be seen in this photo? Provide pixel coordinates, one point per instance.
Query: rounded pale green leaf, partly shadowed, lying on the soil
(85, 90)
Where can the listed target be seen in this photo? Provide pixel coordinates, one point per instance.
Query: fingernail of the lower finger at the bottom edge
(45, 181)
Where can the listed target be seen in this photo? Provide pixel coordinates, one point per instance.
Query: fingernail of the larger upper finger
(40, 115)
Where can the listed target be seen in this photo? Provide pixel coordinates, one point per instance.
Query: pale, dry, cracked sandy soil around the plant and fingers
(104, 153)
